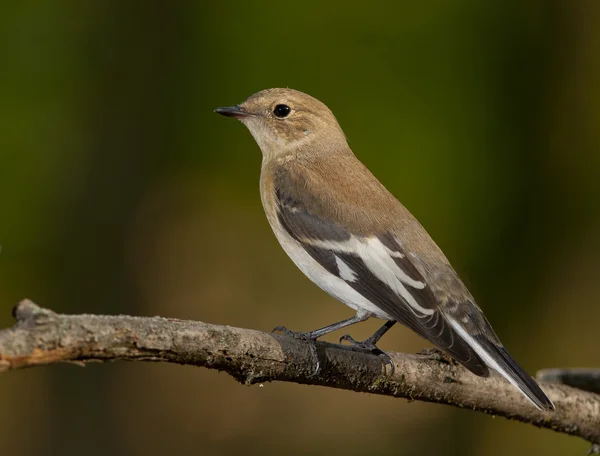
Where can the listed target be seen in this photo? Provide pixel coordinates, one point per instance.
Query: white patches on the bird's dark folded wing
(380, 261)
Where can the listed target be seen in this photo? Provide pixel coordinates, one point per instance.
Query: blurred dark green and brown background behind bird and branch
(122, 192)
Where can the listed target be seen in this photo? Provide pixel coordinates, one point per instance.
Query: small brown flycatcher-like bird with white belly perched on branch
(351, 237)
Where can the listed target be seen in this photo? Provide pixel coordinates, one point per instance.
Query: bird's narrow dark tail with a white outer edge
(496, 357)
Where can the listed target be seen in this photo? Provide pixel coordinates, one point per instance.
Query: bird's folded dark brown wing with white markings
(383, 272)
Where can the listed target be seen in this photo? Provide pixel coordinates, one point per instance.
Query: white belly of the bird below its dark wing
(333, 285)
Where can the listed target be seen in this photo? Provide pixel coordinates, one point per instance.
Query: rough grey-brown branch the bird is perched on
(41, 336)
